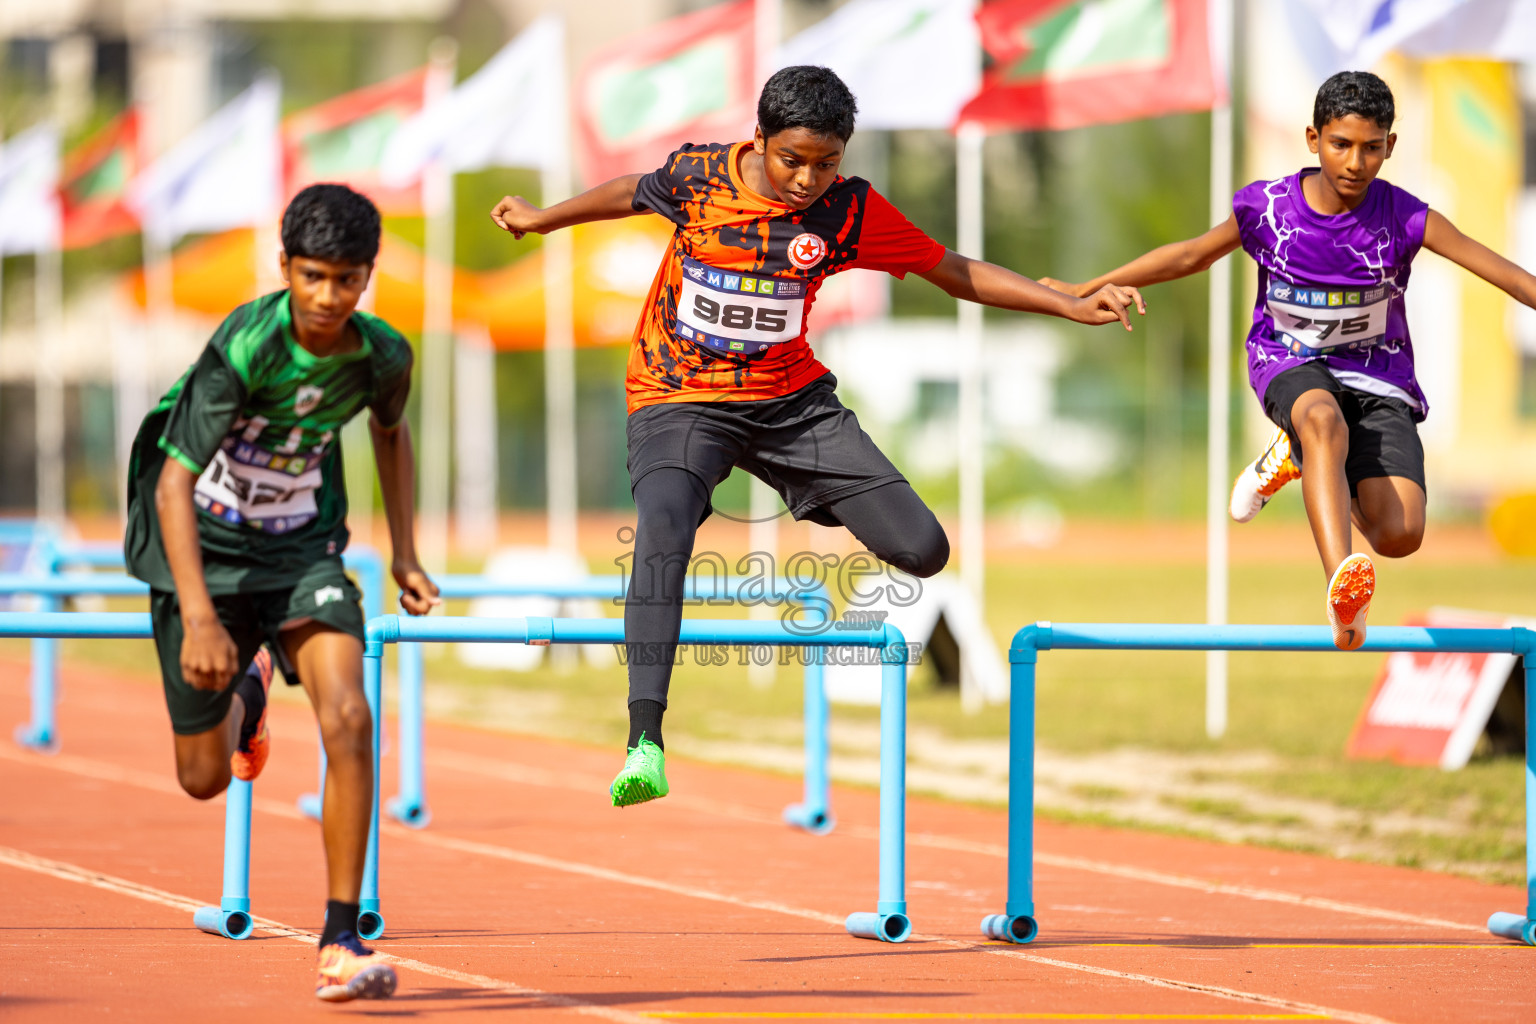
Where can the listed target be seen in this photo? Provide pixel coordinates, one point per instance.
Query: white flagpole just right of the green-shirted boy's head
(437, 331)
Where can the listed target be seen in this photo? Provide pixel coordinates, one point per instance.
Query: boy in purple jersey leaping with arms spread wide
(1329, 352)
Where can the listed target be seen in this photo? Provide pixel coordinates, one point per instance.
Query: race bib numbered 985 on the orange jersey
(738, 314)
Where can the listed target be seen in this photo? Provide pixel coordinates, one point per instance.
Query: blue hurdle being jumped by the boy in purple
(1018, 922)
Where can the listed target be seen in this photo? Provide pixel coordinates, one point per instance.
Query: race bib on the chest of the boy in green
(274, 494)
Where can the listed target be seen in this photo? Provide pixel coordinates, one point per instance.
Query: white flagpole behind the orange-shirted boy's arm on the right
(973, 423)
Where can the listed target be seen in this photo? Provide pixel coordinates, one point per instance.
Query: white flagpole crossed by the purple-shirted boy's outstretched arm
(1220, 357)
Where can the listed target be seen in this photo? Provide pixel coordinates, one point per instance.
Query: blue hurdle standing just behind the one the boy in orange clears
(813, 814)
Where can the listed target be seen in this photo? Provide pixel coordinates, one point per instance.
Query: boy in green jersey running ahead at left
(237, 521)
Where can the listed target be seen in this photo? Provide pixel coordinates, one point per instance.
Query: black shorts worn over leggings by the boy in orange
(806, 446)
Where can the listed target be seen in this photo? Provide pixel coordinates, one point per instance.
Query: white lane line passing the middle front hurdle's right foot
(592, 871)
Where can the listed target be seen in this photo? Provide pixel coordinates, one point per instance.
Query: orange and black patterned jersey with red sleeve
(727, 312)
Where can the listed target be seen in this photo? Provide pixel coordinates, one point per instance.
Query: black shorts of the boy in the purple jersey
(1383, 438)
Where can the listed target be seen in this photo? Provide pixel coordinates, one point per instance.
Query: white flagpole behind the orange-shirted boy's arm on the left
(560, 337)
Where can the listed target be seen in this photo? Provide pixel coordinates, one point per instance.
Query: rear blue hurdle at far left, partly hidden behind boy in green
(42, 732)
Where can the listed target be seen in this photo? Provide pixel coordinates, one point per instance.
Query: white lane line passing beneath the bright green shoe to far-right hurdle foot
(529, 775)
